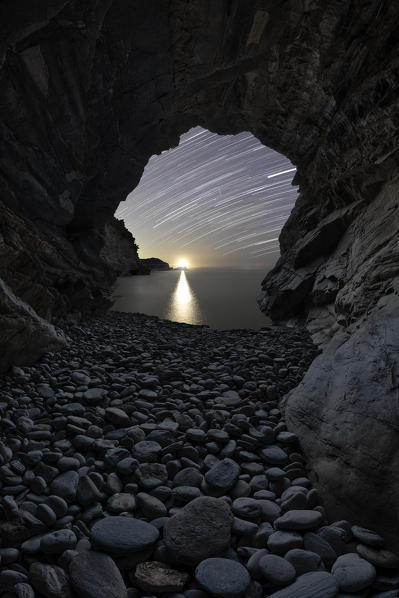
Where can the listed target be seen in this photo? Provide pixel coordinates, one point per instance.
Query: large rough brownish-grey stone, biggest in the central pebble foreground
(200, 530)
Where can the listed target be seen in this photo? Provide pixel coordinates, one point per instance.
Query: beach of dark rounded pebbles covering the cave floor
(150, 458)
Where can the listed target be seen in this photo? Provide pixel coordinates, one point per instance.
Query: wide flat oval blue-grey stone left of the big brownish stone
(123, 535)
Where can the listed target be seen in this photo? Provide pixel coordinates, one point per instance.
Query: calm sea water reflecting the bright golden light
(223, 299)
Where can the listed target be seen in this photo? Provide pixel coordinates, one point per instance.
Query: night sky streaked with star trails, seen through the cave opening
(212, 201)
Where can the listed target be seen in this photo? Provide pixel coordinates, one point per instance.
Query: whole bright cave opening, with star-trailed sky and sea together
(214, 205)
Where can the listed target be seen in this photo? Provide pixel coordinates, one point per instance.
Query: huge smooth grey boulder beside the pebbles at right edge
(346, 411)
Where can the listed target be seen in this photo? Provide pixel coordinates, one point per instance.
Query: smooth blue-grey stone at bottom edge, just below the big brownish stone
(223, 578)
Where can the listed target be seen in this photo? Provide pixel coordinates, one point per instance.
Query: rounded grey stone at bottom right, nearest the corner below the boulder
(353, 573)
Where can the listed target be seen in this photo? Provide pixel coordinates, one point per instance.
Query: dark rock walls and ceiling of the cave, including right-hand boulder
(89, 90)
